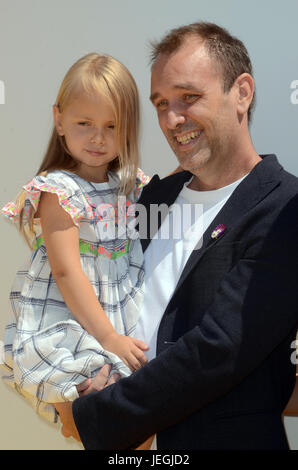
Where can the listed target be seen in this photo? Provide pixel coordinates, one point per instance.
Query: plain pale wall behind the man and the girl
(40, 39)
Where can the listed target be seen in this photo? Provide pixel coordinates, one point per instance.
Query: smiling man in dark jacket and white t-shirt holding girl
(223, 318)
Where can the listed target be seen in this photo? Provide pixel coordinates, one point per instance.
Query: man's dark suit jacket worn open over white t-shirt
(223, 372)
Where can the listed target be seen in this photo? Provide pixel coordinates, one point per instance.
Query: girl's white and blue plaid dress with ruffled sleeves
(47, 352)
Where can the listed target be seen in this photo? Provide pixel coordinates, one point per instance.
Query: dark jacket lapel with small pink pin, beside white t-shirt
(263, 178)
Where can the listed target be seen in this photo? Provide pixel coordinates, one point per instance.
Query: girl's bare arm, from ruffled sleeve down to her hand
(61, 238)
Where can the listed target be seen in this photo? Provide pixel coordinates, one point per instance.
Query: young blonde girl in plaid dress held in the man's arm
(76, 303)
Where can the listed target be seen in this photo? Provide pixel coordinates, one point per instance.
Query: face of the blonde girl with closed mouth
(88, 126)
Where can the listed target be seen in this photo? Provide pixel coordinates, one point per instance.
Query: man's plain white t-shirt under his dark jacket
(169, 250)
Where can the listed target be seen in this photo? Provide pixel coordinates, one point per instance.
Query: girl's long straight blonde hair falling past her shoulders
(94, 73)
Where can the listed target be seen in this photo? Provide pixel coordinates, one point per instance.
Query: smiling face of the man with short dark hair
(196, 116)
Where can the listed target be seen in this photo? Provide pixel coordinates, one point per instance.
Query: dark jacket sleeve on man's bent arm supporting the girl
(247, 320)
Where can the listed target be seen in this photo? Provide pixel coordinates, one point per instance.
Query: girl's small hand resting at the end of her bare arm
(130, 350)
